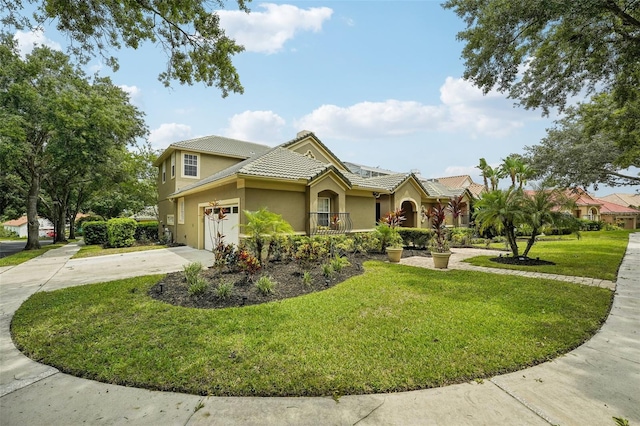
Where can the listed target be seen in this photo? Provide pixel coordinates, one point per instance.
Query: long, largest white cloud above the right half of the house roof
(463, 109)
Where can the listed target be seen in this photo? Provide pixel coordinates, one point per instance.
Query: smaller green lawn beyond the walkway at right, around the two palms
(596, 254)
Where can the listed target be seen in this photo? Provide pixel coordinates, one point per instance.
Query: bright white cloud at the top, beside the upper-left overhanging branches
(268, 31)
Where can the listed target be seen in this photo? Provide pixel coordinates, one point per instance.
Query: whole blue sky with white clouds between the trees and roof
(379, 82)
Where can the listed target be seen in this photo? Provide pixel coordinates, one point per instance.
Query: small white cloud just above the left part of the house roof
(256, 126)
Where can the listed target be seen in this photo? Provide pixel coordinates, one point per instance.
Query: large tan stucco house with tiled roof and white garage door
(301, 179)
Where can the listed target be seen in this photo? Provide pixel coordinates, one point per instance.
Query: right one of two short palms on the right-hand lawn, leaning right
(544, 207)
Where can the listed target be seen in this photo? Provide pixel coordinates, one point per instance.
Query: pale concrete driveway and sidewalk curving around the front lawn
(590, 385)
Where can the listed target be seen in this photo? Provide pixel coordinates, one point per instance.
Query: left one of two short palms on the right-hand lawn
(501, 209)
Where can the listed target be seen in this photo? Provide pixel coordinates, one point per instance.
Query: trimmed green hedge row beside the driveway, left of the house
(119, 232)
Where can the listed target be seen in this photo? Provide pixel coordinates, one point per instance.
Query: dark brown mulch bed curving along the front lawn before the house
(173, 289)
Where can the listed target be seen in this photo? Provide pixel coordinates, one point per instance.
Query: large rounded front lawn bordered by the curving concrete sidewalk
(395, 328)
